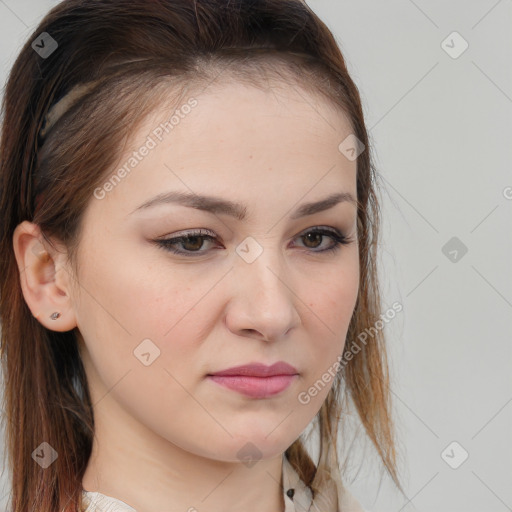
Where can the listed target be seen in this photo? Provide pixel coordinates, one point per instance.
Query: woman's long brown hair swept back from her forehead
(130, 53)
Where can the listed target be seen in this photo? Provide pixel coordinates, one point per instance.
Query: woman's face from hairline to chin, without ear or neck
(273, 286)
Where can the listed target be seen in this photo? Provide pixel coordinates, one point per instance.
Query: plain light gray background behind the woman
(441, 129)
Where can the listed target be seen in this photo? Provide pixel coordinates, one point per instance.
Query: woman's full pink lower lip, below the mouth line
(255, 387)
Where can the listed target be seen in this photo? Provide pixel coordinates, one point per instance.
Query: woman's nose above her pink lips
(263, 303)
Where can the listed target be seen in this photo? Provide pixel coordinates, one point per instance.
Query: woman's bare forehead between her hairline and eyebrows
(233, 139)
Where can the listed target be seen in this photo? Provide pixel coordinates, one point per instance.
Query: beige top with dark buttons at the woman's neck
(297, 497)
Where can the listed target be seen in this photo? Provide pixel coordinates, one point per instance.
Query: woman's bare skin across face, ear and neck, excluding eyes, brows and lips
(165, 433)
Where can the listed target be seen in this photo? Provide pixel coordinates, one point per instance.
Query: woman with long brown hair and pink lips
(189, 234)
